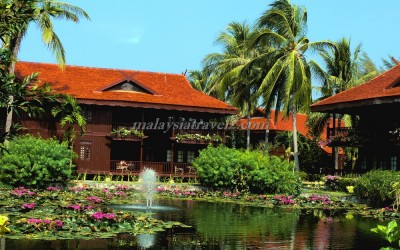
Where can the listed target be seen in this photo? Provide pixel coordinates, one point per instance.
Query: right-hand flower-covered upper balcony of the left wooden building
(188, 136)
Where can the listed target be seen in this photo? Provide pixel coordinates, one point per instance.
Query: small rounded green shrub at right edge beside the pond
(376, 187)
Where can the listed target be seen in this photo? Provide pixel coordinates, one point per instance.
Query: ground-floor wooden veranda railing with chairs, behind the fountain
(161, 168)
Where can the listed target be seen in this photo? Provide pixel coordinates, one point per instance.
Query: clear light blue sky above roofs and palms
(175, 35)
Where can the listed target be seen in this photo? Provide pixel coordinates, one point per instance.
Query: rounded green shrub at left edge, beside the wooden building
(34, 162)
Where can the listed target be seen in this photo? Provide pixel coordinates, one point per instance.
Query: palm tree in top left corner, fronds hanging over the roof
(43, 13)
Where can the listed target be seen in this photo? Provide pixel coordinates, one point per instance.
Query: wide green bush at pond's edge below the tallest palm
(233, 169)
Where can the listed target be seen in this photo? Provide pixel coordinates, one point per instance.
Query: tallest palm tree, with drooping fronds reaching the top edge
(288, 80)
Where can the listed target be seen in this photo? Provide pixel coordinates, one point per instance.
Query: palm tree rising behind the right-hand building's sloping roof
(344, 69)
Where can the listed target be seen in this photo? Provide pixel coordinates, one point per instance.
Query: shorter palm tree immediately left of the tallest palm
(230, 79)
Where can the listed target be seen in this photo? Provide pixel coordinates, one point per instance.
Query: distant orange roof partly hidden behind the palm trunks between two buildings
(284, 124)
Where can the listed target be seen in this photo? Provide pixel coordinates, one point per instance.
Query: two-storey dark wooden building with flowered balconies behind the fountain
(135, 119)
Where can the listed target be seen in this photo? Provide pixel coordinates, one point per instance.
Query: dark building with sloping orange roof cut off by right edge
(375, 107)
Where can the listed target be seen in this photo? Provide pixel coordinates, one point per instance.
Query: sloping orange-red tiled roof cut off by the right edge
(385, 85)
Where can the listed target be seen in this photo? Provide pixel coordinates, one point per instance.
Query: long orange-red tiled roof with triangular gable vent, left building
(171, 91)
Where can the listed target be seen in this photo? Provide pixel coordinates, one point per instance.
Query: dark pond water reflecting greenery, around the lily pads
(233, 226)
